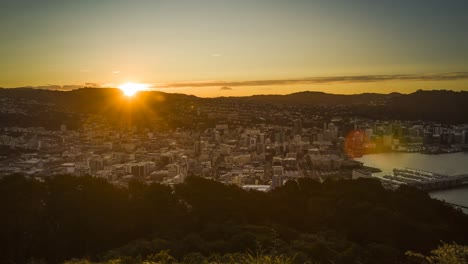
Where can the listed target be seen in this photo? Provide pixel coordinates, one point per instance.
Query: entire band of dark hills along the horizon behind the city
(51, 108)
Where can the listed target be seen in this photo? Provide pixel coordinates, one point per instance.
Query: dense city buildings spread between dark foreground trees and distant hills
(260, 156)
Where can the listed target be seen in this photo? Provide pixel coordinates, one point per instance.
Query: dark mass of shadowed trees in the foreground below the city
(358, 221)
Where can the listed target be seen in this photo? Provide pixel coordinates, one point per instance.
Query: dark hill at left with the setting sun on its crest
(50, 109)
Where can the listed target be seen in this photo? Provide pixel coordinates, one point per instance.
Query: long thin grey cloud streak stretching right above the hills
(329, 80)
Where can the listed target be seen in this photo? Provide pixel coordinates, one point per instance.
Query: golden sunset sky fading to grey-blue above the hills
(236, 47)
